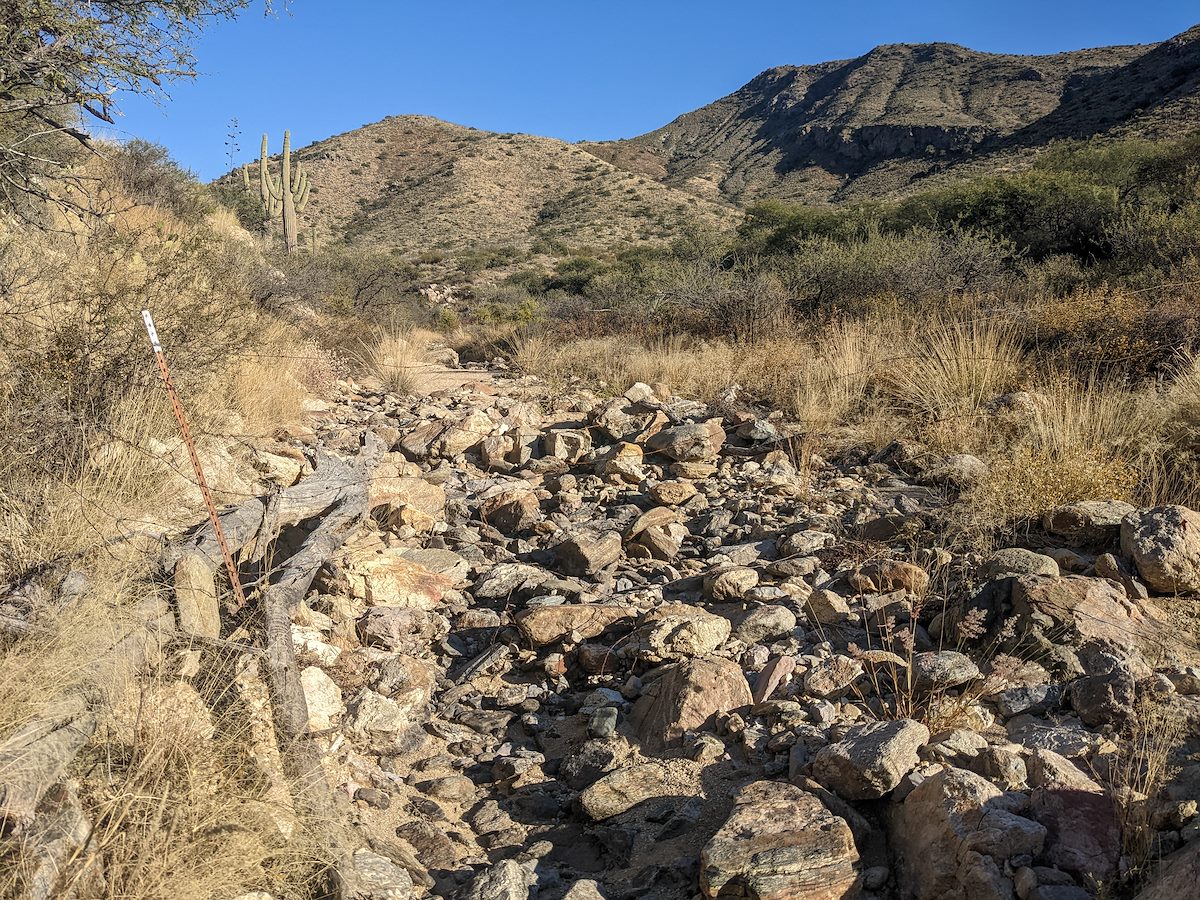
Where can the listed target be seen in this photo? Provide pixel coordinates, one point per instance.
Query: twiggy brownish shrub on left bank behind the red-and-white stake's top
(73, 331)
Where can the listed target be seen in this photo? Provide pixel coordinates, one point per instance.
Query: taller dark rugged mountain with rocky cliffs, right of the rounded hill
(877, 125)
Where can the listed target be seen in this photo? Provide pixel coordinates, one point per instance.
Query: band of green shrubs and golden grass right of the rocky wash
(1043, 320)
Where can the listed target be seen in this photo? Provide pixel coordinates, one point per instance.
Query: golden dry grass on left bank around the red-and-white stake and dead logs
(178, 805)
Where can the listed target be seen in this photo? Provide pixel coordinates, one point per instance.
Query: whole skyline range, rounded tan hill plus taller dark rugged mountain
(896, 121)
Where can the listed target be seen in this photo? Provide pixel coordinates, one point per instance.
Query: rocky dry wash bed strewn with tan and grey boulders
(635, 649)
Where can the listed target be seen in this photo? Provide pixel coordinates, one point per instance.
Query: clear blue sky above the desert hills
(568, 69)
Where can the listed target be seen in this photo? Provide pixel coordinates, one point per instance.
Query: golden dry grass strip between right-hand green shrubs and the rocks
(1067, 436)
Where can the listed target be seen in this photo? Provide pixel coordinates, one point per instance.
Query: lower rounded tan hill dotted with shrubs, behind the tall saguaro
(418, 184)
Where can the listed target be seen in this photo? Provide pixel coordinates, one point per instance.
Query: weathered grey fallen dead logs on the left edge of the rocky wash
(38, 757)
